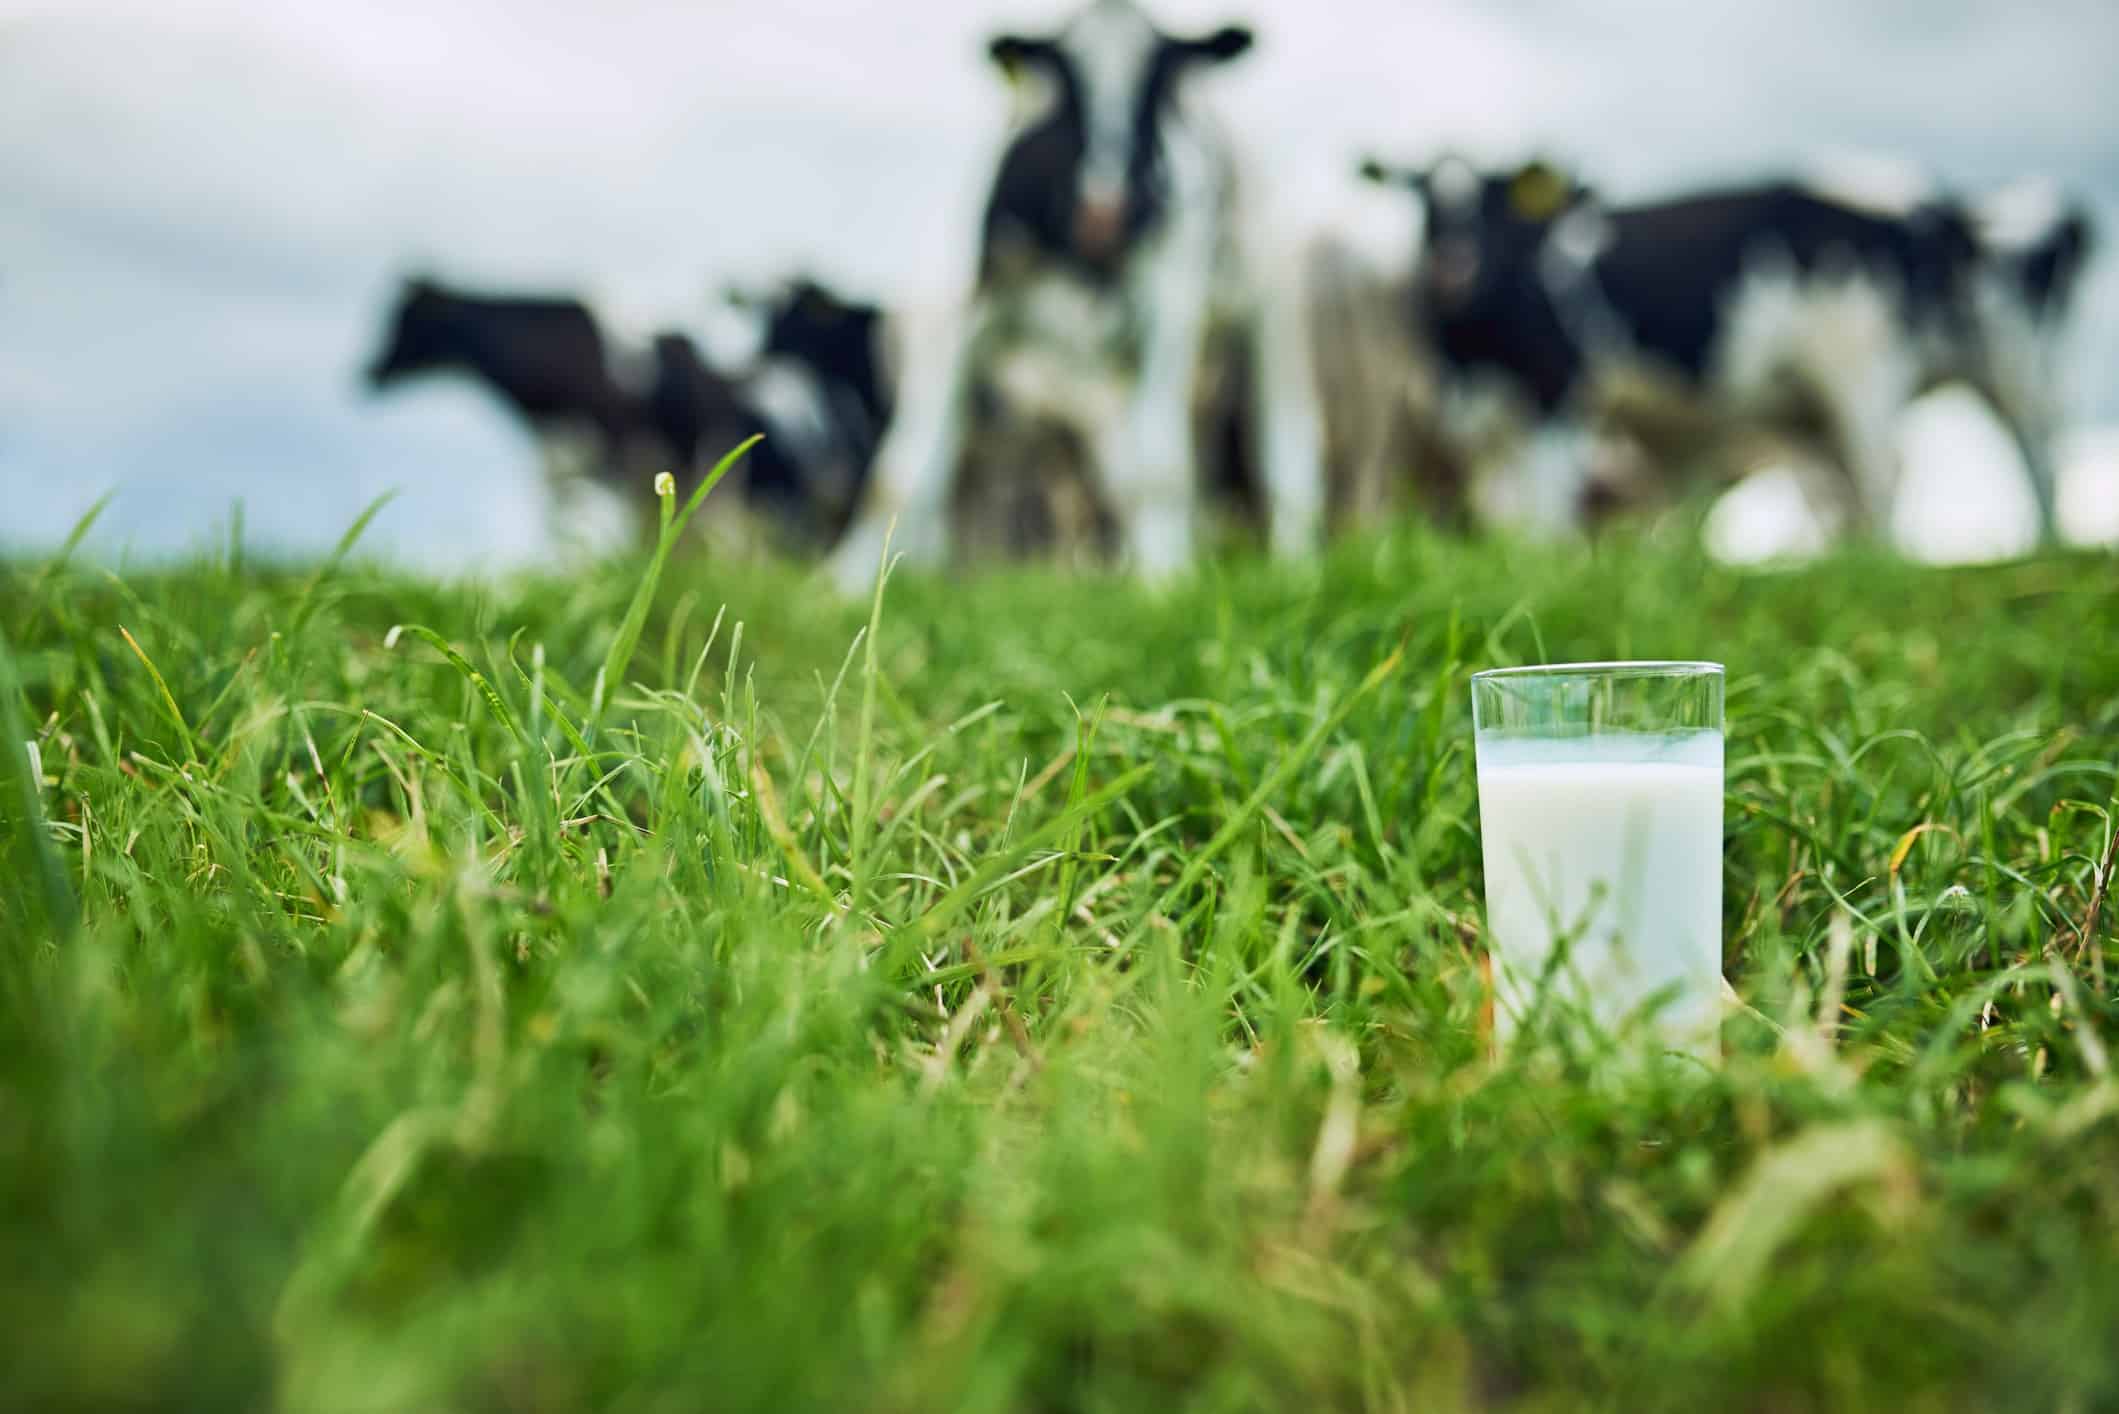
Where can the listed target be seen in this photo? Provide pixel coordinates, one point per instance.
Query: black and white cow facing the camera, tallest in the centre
(1111, 249)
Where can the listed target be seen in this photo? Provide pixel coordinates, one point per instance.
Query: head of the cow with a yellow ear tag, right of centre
(1491, 234)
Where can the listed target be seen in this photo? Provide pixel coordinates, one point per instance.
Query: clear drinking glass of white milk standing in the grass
(1601, 794)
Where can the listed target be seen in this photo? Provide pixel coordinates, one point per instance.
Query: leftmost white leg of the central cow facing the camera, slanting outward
(919, 459)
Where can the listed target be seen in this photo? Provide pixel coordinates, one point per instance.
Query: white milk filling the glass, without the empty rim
(1614, 845)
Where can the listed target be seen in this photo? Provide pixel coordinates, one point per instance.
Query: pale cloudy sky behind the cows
(207, 205)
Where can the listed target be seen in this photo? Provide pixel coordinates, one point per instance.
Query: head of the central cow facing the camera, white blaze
(1099, 173)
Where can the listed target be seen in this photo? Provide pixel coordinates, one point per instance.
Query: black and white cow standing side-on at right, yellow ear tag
(1781, 304)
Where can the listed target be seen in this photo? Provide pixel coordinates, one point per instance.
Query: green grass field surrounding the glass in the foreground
(1061, 1000)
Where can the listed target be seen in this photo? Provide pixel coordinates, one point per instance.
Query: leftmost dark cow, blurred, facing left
(550, 361)
